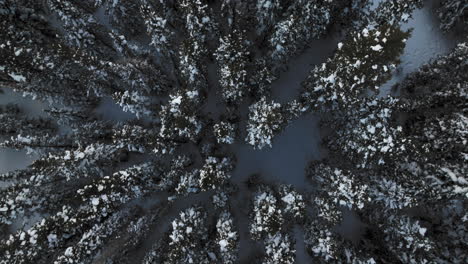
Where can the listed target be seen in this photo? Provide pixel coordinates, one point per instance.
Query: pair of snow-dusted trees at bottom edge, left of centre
(192, 239)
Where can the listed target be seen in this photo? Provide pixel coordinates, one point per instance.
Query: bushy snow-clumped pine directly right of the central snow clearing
(368, 133)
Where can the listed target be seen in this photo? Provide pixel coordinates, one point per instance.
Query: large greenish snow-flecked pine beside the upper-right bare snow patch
(361, 64)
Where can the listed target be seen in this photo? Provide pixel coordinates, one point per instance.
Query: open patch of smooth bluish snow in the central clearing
(286, 160)
